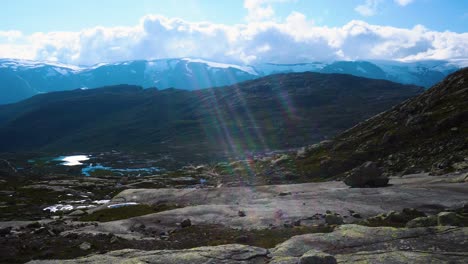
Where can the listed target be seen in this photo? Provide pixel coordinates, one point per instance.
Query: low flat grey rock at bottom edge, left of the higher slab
(220, 254)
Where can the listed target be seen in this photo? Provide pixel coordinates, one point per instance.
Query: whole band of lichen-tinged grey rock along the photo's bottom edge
(347, 244)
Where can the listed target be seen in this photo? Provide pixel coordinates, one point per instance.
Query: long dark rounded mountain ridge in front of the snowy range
(275, 112)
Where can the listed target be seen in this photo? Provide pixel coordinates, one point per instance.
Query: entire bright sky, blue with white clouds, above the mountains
(86, 32)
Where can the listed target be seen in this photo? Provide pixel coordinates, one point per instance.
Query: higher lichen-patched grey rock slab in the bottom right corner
(360, 244)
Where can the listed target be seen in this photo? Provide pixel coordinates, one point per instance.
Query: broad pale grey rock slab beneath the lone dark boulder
(263, 207)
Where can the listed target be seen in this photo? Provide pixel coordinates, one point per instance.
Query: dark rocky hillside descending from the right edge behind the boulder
(425, 133)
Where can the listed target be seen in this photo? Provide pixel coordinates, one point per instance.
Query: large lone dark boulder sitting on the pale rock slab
(366, 175)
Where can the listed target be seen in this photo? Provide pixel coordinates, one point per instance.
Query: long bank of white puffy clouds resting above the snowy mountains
(296, 39)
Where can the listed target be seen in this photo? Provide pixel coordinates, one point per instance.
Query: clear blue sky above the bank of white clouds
(64, 15)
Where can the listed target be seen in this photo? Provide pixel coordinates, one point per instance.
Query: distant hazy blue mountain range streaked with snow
(20, 79)
